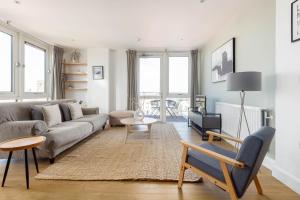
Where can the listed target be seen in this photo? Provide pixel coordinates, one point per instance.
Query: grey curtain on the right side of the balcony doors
(194, 76)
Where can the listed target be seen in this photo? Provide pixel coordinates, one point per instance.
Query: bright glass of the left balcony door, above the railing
(149, 76)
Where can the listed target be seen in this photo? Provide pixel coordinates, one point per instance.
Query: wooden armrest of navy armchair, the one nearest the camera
(215, 155)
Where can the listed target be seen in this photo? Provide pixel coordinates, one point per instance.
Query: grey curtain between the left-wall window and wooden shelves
(58, 90)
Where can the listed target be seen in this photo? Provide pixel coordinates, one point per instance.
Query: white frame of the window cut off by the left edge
(14, 45)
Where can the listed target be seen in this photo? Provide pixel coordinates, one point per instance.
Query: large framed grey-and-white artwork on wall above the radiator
(223, 61)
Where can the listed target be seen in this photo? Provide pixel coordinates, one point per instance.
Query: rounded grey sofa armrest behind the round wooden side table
(15, 129)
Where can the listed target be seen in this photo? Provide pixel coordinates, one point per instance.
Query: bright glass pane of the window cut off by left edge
(6, 58)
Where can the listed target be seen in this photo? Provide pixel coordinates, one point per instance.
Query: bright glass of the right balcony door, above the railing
(179, 75)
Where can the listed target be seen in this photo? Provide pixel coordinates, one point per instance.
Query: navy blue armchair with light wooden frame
(231, 171)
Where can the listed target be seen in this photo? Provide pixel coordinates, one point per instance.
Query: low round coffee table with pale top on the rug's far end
(138, 126)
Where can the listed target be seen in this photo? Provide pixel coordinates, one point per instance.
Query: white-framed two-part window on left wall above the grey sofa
(23, 65)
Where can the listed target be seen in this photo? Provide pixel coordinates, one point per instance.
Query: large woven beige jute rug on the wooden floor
(106, 156)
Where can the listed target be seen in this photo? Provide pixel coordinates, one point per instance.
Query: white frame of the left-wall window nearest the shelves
(41, 45)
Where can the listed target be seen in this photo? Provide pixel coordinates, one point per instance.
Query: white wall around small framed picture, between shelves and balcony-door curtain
(111, 93)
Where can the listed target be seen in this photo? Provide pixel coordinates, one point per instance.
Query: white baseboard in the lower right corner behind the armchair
(286, 178)
